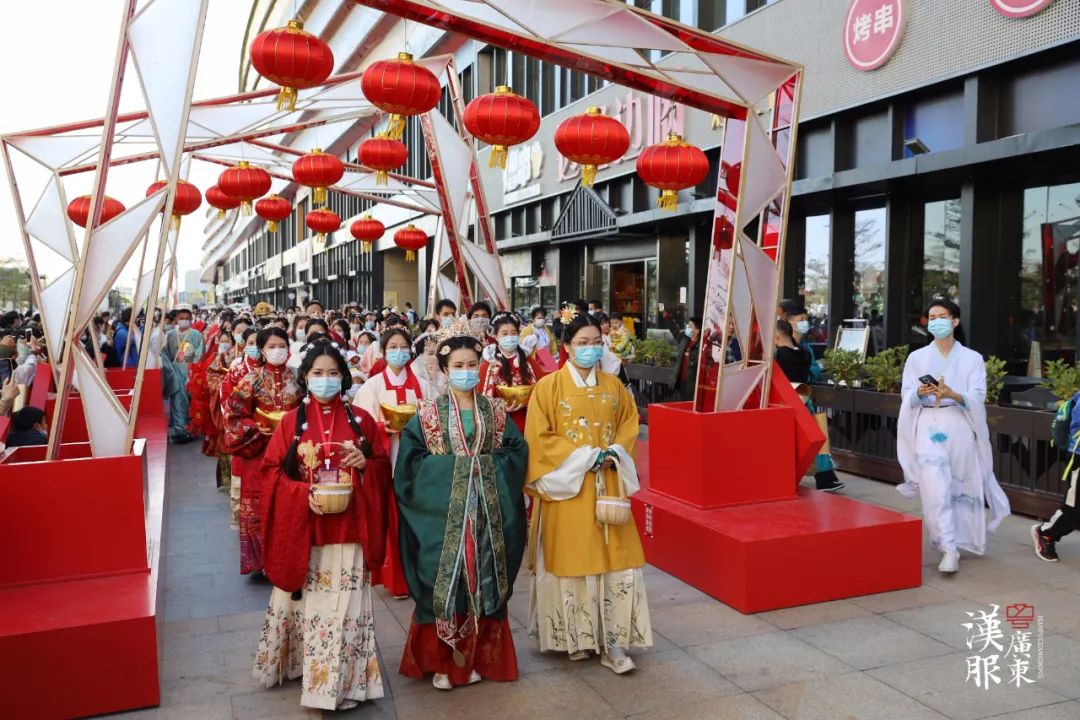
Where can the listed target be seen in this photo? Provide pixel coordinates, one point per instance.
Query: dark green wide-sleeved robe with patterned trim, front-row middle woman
(439, 486)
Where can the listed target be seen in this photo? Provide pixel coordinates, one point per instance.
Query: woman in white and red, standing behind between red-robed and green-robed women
(396, 386)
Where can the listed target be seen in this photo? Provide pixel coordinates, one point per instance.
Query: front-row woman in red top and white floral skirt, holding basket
(320, 622)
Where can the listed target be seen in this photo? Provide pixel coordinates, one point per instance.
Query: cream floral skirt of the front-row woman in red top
(328, 636)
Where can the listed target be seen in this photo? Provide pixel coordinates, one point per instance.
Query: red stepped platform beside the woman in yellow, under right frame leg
(723, 512)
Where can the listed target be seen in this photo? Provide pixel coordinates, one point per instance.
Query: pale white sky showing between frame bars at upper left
(64, 71)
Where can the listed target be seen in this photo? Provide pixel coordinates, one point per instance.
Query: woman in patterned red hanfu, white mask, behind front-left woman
(252, 412)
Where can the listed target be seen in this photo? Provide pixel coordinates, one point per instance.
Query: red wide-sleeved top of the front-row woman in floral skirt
(290, 527)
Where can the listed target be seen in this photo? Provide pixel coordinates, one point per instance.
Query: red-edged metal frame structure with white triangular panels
(605, 38)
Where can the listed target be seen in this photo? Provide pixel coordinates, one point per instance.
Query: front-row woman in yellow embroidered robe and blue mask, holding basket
(588, 589)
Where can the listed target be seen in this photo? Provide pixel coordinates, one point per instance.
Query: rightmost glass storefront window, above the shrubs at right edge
(1050, 270)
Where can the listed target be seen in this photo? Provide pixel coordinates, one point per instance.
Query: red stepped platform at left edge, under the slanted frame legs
(80, 588)
